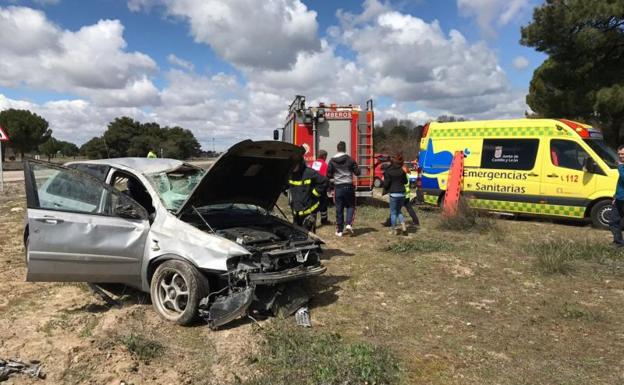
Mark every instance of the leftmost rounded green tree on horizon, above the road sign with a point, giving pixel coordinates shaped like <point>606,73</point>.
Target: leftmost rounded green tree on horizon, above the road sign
<point>25,129</point>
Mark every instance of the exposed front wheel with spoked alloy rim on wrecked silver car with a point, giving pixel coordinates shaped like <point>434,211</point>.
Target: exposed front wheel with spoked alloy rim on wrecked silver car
<point>176,289</point>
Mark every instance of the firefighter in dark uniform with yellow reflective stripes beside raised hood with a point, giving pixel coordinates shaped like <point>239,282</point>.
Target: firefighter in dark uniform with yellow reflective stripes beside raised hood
<point>305,187</point>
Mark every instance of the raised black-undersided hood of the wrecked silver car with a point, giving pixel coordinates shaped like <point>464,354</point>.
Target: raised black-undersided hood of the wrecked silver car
<point>249,172</point>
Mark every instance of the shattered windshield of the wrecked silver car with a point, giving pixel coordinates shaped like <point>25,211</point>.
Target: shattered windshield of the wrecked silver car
<point>174,187</point>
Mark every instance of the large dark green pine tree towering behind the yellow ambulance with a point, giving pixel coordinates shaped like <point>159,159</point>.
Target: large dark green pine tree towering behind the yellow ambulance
<point>582,77</point>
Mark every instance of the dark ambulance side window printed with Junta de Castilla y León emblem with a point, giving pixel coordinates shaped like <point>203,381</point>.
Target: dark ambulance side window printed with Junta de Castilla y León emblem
<point>509,154</point>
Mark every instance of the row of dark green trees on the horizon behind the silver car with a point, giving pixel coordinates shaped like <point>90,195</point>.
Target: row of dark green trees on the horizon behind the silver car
<point>29,133</point>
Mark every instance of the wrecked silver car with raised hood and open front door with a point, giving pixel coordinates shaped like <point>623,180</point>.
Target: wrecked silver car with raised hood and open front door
<point>202,243</point>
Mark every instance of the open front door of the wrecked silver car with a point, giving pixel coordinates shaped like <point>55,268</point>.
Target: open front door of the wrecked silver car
<point>80,229</point>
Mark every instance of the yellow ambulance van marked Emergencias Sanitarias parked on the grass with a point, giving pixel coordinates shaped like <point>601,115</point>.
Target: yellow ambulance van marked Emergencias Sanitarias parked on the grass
<point>542,167</point>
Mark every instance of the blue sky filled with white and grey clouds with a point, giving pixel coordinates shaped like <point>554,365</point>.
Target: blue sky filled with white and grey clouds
<point>227,70</point>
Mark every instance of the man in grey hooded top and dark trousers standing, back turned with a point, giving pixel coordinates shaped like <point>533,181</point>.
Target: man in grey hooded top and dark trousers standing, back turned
<point>341,169</point>
